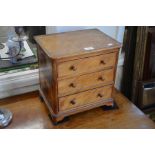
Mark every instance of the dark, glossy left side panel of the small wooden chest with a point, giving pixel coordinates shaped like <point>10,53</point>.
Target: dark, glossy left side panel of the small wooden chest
<point>47,79</point>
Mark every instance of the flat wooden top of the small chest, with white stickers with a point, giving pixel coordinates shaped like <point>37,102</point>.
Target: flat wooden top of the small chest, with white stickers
<point>76,43</point>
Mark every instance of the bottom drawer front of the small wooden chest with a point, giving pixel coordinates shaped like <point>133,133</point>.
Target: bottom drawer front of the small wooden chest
<point>83,98</point>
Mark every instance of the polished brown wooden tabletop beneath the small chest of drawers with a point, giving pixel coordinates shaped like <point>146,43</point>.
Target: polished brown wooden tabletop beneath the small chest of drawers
<point>29,112</point>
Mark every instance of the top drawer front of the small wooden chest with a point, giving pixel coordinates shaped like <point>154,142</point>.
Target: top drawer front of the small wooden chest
<point>86,65</point>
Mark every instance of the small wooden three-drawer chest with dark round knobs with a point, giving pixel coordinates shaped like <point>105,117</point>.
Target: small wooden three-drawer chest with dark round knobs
<point>76,71</point>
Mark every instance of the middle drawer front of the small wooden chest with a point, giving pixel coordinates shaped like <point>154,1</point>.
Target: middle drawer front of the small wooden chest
<point>84,82</point>
